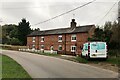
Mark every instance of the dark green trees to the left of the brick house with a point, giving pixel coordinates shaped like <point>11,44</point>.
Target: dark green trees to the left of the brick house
<point>16,34</point>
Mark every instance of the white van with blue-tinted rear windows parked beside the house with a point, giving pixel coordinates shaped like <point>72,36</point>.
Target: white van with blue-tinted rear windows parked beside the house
<point>94,50</point>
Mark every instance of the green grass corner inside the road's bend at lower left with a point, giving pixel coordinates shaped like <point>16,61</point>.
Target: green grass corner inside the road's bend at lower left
<point>11,69</point>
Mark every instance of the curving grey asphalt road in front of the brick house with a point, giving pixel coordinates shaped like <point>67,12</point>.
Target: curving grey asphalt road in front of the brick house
<point>39,66</point>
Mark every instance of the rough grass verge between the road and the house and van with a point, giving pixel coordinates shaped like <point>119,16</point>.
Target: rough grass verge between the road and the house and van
<point>112,63</point>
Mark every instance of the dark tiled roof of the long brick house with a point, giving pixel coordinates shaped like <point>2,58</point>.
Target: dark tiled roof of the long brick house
<point>78,29</point>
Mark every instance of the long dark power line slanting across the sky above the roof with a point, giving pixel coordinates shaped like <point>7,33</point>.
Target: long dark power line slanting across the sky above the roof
<point>65,13</point>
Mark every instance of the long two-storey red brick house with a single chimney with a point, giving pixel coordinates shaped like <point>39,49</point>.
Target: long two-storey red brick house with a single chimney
<point>64,40</point>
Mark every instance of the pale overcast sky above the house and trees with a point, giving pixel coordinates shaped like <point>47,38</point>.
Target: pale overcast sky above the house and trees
<point>35,11</point>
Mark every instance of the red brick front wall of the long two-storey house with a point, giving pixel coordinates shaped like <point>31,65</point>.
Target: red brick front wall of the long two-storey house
<point>52,40</point>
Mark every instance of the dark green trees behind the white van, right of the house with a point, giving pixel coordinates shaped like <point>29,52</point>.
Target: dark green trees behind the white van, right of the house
<point>109,33</point>
